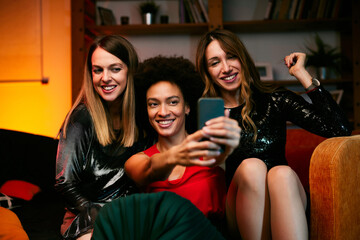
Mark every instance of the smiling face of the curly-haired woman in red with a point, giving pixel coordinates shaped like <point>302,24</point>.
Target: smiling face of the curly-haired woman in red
<point>166,109</point>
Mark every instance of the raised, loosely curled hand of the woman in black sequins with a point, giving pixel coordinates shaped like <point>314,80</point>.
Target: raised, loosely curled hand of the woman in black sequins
<point>296,65</point>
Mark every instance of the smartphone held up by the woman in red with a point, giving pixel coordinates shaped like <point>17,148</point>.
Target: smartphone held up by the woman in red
<point>209,108</point>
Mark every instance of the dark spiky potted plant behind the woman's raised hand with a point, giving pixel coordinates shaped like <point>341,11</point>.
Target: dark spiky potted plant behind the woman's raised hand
<point>324,59</point>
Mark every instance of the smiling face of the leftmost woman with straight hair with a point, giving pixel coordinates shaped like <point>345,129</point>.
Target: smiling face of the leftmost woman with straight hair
<point>109,75</point>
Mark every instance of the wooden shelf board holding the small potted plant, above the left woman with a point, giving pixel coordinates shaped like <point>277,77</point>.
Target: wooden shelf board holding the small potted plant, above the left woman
<point>153,29</point>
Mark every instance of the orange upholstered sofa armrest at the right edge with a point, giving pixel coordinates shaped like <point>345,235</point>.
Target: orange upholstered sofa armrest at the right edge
<point>335,196</point>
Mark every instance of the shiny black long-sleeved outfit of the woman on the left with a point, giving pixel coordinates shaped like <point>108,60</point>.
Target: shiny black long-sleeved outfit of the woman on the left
<point>87,174</point>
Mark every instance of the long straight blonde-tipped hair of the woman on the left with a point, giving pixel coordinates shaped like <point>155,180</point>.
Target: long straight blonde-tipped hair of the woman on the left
<point>99,112</point>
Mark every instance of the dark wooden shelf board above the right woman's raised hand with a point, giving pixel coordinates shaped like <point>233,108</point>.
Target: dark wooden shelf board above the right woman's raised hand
<point>343,25</point>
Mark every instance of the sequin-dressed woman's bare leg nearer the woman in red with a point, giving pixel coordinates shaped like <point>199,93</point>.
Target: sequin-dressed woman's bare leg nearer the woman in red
<point>247,205</point>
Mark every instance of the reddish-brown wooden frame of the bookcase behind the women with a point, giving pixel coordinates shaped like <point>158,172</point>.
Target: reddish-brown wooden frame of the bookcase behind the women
<point>84,30</point>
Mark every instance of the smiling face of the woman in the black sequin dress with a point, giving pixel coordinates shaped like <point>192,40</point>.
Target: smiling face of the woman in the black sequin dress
<point>224,68</point>
